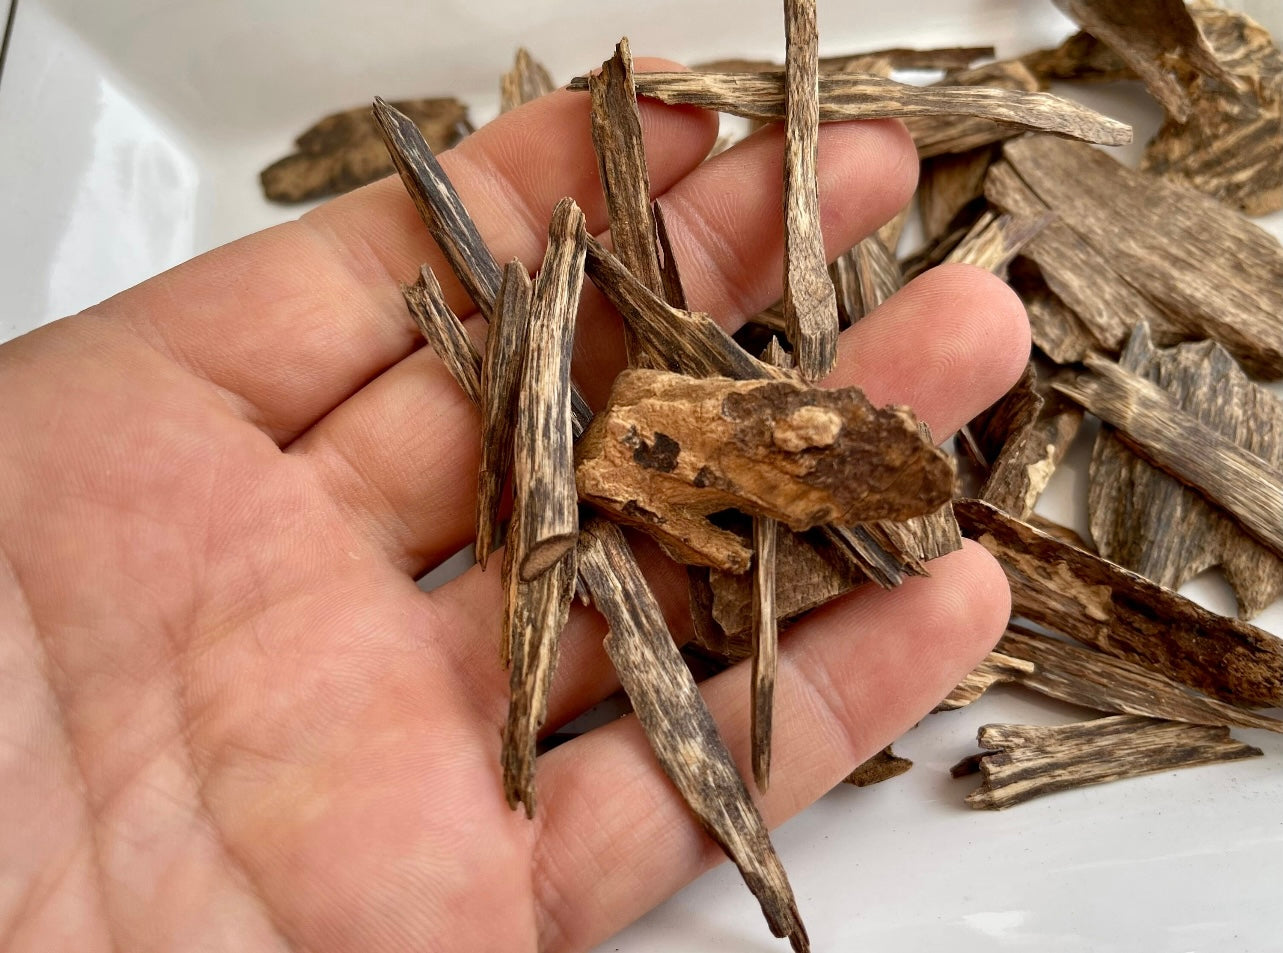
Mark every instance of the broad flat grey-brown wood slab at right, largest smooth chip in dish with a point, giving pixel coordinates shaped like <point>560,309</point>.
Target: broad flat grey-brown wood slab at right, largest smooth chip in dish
<point>1205,270</point>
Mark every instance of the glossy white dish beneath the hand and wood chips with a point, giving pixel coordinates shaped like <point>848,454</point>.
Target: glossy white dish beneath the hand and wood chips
<point>132,135</point>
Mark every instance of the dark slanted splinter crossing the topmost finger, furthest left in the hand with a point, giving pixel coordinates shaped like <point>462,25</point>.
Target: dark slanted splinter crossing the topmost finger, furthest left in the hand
<point>450,223</point>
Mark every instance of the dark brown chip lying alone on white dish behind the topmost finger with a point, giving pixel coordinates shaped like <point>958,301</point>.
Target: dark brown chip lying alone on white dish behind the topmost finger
<point>343,152</point>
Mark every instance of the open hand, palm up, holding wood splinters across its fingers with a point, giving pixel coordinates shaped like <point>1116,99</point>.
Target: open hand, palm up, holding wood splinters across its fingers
<point>232,720</point>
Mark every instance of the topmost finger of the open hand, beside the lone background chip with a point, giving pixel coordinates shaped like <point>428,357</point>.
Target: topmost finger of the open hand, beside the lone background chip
<point>292,321</point>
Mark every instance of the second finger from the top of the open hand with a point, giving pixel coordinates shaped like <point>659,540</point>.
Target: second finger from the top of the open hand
<point>402,453</point>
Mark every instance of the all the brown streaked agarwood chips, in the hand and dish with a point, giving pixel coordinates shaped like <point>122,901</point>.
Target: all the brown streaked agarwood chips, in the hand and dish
<point>1155,306</point>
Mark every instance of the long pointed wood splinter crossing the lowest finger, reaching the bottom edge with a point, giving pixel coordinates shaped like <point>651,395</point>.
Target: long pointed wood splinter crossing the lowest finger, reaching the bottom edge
<point>678,724</point>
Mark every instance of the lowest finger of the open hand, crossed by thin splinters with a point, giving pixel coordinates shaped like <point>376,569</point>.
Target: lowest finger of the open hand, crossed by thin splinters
<point>616,839</point>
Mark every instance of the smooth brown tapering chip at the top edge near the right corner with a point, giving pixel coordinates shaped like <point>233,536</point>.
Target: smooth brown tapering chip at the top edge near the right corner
<point>1158,39</point>
